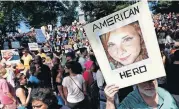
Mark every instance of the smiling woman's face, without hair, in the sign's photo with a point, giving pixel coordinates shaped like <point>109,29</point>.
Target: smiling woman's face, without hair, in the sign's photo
<point>124,45</point>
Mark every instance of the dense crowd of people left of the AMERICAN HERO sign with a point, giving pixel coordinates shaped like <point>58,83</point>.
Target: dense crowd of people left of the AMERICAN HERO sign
<point>63,73</point>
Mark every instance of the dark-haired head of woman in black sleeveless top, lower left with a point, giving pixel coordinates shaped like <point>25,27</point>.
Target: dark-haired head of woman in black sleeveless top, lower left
<point>21,79</point>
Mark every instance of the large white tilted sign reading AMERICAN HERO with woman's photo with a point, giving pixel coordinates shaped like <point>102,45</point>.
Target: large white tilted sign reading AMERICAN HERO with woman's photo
<point>126,47</point>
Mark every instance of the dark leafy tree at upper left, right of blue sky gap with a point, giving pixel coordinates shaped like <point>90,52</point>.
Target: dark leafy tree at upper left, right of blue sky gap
<point>41,12</point>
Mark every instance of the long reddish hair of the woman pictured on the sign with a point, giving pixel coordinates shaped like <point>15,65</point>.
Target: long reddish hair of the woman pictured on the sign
<point>143,53</point>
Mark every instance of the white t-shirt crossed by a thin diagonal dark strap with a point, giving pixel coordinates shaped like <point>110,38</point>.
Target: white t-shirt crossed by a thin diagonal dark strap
<point>75,95</point>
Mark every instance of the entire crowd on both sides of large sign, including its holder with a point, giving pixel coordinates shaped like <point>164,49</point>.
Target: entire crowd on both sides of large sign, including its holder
<point>64,73</point>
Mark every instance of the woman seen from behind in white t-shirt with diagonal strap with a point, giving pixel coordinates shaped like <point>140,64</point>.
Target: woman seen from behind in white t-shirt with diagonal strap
<point>74,87</point>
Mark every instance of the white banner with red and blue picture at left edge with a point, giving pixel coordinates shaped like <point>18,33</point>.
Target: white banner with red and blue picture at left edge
<point>10,56</point>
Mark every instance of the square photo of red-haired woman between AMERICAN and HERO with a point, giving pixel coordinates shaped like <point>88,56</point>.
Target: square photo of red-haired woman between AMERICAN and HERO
<point>124,45</point>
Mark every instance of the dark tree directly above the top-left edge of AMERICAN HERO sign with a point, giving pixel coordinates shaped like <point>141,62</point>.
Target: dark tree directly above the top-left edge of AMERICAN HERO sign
<point>97,9</point>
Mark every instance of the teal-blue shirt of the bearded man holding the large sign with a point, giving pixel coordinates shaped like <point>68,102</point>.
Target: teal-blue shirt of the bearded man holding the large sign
<point>135,101</point>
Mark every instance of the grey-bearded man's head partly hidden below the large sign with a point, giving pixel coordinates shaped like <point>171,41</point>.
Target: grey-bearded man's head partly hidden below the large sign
<point>148,88</point>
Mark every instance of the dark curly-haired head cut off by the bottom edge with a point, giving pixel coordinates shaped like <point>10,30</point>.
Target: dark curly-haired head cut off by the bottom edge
<point>43,98</point>
